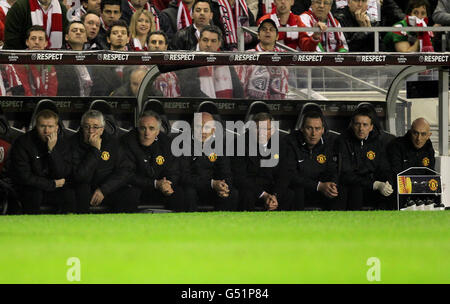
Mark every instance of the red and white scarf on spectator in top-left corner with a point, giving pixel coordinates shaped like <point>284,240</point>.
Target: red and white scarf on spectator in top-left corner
<point>51,21</point>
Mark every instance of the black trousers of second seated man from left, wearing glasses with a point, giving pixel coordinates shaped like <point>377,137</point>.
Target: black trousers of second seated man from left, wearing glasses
<point>123,200</point>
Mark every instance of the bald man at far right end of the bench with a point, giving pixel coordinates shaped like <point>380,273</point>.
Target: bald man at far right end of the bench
<point>414,149</point>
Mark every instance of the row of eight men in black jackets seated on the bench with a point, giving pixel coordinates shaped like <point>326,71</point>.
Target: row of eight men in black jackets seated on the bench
<point>309,168</point>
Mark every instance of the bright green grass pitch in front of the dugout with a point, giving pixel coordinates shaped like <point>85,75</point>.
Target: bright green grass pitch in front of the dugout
<point>227,247</point>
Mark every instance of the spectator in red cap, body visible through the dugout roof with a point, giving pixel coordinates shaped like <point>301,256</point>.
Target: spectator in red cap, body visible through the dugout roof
<point>265,82</point>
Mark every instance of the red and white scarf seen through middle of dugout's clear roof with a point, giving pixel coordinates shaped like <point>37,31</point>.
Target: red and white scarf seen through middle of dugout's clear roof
<point>215,81</point>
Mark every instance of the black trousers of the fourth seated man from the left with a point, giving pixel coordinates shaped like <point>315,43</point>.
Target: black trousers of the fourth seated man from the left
<point>195,197</point>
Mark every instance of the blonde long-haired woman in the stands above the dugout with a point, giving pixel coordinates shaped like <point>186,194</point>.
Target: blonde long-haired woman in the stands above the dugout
<point>142,23</point>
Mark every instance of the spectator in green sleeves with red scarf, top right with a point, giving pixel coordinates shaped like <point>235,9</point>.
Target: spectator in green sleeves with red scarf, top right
<point>416,15</point>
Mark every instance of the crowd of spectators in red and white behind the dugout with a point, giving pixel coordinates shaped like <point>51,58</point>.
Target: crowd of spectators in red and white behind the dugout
<point>129,25</point>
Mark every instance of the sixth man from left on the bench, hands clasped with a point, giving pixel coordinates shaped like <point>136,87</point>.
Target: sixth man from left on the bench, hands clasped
<point>315,171</point>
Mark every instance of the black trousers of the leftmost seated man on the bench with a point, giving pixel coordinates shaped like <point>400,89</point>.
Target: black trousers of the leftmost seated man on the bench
<point>62,199</point>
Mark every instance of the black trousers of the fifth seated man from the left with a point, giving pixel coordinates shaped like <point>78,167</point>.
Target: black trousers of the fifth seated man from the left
<point>249,200</point>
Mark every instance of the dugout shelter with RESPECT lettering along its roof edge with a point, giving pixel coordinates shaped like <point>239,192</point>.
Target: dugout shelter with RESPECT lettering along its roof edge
<point>336,82</point>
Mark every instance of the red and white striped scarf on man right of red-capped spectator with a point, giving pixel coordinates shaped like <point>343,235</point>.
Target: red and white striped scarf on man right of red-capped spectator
<point>333,41</point>
